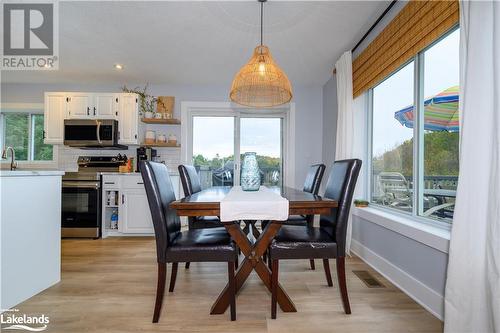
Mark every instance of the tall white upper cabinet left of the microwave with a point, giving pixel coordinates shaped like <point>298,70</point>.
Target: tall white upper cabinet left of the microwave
<point>54,114</point>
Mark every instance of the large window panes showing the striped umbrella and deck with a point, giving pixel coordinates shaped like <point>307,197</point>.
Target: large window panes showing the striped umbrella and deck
<point>415,134</point>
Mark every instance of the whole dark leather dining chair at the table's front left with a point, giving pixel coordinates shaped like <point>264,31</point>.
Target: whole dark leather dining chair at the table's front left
<point>173,245</point>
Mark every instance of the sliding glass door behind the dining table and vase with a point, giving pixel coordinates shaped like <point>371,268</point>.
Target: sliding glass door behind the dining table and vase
<point>220,141</point>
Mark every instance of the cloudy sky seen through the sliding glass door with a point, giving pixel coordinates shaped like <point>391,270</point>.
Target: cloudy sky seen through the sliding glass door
<point>215,135</point>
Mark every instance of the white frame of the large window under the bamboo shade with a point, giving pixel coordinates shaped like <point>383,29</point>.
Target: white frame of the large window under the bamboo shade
<point>418,141</point>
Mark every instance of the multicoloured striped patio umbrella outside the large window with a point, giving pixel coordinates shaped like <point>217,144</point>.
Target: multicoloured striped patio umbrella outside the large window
<point>441,112</point>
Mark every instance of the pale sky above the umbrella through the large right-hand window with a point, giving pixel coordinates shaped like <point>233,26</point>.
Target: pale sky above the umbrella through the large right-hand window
<point>441,71</point>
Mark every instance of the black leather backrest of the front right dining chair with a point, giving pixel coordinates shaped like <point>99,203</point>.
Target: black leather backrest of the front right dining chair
<point>340,187</point>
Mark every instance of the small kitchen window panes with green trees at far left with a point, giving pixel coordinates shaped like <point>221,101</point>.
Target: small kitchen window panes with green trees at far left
<point>23,131</point>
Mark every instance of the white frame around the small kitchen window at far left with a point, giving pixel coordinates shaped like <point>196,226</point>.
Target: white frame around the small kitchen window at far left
<point>30,109</point>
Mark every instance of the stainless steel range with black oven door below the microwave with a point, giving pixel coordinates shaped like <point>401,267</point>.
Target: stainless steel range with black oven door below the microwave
<point>81,195</point>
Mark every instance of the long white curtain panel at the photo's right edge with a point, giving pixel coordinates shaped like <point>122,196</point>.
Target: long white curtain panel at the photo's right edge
<point>472,298</point>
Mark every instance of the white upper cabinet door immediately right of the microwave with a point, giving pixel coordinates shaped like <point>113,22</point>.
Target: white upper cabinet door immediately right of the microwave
<point>128,119</point>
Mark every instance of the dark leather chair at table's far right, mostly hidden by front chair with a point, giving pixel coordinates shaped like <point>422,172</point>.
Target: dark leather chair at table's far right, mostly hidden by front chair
<point>311,185</point>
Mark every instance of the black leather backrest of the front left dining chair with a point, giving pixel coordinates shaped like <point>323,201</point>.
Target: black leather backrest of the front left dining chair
<point>160,193</point>
